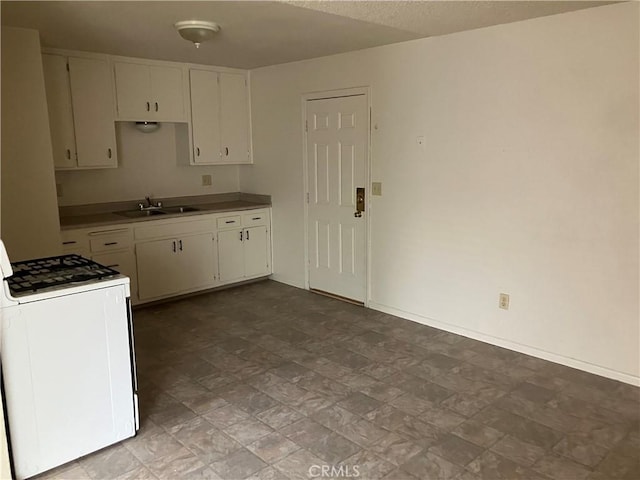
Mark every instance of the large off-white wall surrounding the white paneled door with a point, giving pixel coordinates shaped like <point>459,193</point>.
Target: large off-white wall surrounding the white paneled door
<point>528,183</point>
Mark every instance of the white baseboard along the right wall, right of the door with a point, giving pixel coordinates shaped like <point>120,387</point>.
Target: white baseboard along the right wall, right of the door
<point>517,347</point>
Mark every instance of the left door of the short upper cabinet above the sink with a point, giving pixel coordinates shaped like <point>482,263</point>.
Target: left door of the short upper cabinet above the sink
<point>133,91</point>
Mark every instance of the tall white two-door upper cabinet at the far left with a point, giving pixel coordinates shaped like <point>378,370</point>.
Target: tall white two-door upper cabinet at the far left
<point>80,102</point>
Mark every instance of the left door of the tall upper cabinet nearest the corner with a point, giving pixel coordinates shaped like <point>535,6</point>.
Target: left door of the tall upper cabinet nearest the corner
<point>205,119</point>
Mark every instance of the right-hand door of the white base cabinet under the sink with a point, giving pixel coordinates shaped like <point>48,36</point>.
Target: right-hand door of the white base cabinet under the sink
<point>196,261</point>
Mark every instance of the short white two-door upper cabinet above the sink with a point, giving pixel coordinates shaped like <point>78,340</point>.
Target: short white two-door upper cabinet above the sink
<point>149,92</point>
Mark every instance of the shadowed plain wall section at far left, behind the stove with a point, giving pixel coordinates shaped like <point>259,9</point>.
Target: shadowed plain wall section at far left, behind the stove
<point>30,225</point>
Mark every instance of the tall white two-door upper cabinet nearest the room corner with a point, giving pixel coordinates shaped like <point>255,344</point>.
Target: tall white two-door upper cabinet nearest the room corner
<point>219,117</point>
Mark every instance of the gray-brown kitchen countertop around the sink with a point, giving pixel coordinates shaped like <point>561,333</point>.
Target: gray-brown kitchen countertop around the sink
<point>97,215</point>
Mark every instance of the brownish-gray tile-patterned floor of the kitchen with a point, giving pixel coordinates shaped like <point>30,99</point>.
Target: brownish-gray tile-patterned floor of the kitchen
<point>265,381</point>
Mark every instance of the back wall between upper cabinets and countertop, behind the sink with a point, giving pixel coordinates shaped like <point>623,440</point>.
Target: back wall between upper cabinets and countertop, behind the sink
<point>146,166</point>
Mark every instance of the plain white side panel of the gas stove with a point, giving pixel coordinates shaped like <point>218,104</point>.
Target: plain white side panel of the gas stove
<point>68,377</point>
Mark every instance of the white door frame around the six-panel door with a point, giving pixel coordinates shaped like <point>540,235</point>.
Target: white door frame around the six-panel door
<point>323,95</point>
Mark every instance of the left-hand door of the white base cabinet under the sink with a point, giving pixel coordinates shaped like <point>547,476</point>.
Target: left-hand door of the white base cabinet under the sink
<point>158,268</point>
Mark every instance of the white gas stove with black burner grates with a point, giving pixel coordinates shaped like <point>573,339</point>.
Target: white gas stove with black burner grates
<point>68,360</point>
